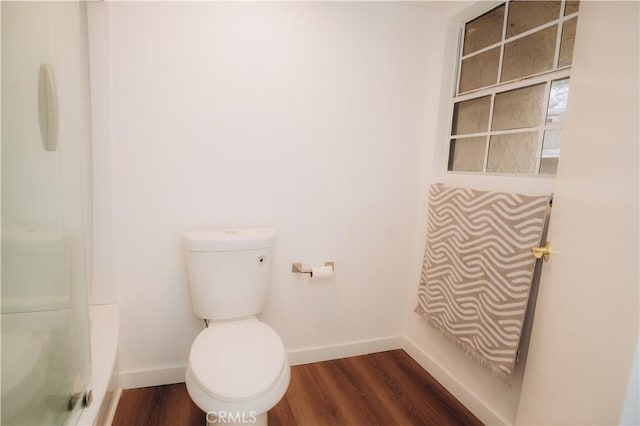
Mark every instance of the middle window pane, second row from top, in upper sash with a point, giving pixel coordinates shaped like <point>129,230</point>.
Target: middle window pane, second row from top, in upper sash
<point>529,55</point>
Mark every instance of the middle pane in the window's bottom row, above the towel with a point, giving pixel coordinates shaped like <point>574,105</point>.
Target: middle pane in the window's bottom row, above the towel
<point>514,153</point>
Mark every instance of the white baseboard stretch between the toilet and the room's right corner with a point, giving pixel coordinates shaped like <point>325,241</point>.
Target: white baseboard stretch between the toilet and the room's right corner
<point>344,350</point>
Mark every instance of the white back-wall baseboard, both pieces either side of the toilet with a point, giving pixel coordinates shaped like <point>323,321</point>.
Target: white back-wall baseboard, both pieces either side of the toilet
<point>176,374</point>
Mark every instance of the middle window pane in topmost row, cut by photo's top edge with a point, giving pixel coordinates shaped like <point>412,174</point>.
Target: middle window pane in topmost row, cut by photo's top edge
<point>525,15</point>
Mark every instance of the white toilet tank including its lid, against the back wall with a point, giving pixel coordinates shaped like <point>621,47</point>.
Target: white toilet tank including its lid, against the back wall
<point>229,270</point>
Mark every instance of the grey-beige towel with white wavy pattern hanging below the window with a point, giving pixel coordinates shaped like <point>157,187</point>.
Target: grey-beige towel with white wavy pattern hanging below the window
<point>478,269</point>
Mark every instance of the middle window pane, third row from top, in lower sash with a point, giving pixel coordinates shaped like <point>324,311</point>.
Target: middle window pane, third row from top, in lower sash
<point>519,108</point>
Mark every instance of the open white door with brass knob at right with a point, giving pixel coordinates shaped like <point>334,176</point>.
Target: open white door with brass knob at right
<point>586,325</point>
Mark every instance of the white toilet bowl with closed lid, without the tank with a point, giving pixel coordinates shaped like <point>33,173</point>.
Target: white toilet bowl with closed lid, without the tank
<point>237,371</point>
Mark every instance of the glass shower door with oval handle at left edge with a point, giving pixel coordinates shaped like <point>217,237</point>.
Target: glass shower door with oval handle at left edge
<point>45,147</point>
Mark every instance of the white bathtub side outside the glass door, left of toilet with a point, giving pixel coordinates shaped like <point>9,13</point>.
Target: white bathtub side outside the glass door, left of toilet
<point>104,381</point>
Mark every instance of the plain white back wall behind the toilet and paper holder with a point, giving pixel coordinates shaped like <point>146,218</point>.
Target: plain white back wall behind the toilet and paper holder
<point>308,117</point>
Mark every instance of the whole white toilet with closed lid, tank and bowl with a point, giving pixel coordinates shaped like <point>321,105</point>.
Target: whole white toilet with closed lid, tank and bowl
<point>238,369</point>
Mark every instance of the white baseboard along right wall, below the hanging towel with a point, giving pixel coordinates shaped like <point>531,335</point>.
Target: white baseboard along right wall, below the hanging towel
<point>469,399</point>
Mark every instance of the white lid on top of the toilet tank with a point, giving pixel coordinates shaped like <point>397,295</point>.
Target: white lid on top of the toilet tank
<point>229,239</point>
